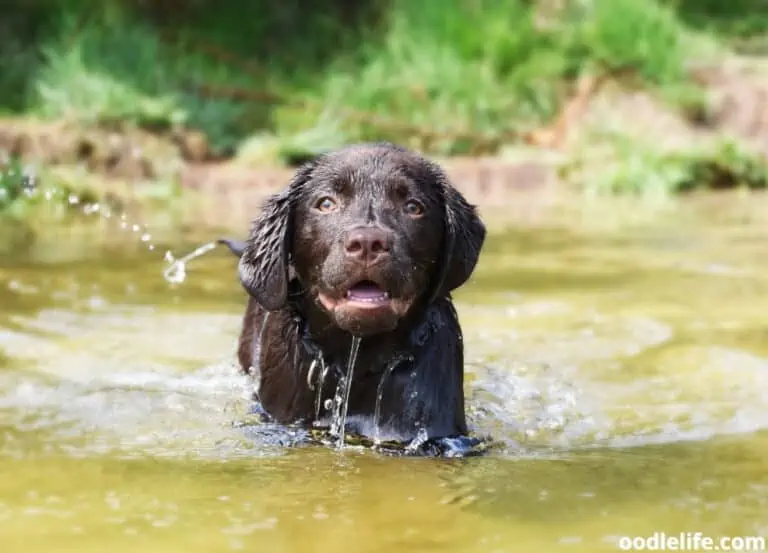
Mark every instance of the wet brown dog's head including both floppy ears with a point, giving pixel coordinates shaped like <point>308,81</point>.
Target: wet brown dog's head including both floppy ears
<point>370,231</point>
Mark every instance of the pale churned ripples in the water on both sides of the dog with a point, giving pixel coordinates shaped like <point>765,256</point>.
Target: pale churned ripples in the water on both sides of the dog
<point>541,377</point>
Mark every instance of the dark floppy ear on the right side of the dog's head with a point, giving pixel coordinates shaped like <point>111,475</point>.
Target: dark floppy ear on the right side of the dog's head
<point>462,242</point>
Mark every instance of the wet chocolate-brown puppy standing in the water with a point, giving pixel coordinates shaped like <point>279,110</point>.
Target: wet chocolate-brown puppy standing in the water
<point>367,241</point>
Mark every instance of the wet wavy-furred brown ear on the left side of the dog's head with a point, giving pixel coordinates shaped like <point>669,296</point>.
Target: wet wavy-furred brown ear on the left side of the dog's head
<point>263,266</point>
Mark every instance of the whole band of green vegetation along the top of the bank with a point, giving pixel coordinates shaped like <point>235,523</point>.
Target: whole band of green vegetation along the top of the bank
<point>291,79</point>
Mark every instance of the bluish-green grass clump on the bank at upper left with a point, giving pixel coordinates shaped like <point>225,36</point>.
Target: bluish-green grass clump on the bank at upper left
<point>118,73</point>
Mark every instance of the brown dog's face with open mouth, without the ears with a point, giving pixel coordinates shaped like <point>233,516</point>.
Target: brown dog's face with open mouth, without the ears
<point>367,237</point>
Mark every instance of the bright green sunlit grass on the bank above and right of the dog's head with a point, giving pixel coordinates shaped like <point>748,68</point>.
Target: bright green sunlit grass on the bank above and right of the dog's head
<point>484,71</point>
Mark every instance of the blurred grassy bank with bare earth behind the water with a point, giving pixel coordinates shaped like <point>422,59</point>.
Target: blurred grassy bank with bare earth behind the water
<point>642,95</point>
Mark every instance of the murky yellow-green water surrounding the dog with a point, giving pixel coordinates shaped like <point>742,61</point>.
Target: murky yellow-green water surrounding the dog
<point>622,369</point>
